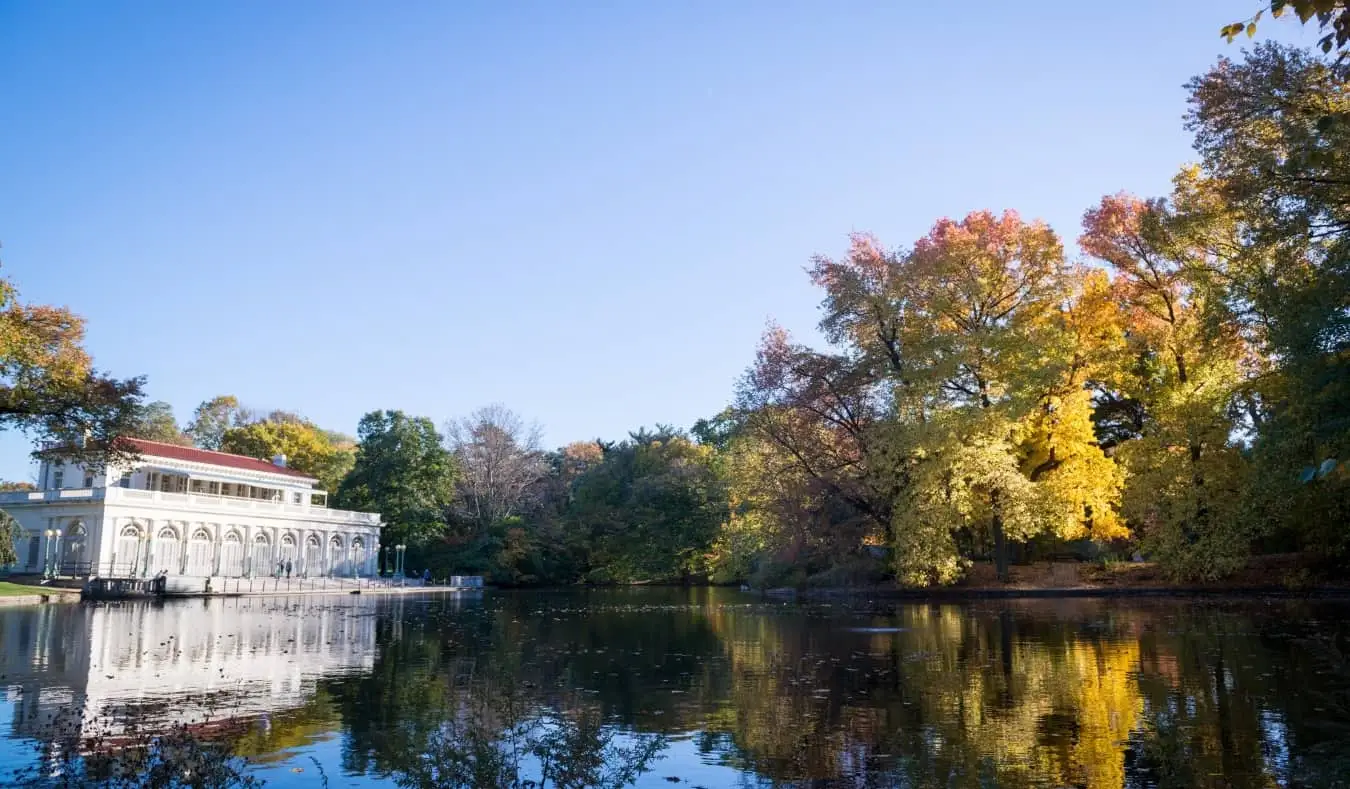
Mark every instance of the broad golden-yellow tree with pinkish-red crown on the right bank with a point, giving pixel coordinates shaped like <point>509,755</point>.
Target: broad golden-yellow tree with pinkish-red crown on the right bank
<point>981,342</point>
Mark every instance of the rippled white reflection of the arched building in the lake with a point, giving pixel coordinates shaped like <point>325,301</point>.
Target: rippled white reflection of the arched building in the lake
<point>106,672</point>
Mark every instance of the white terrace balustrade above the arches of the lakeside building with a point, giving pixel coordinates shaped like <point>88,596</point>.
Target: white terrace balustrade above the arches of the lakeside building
<point>206,503</point>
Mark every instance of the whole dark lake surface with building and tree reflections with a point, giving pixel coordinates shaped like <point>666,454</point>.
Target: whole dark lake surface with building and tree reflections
<point>732,690</point>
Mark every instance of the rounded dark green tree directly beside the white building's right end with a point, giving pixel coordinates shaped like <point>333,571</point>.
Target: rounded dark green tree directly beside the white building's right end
<point>404,472</point>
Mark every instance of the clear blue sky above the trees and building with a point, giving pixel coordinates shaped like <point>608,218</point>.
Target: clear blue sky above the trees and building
<point>587,211</point>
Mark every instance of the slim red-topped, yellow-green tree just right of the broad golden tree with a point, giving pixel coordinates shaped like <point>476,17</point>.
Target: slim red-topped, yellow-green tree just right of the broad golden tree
<point>1187,476</point>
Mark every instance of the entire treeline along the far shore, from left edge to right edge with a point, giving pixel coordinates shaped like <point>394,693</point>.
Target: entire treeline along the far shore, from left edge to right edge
<point>1182,391</point>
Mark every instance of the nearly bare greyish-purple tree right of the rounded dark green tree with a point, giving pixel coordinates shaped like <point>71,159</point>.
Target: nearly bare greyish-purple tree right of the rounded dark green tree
<point>500,460</point>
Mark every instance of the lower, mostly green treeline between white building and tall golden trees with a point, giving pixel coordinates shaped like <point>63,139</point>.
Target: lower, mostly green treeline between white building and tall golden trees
<point>484,497</point>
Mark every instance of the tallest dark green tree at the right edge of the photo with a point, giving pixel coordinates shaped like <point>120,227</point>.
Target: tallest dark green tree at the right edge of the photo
<point>1270,206</point>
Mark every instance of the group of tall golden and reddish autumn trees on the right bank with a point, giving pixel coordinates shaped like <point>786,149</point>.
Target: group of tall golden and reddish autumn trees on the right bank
<point>1183,392</point>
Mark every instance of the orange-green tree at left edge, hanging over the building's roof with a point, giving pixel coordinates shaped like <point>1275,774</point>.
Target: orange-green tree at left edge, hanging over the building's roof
<point>51,390</point>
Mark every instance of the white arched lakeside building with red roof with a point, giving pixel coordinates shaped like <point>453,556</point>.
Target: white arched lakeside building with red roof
<point>186,511</point>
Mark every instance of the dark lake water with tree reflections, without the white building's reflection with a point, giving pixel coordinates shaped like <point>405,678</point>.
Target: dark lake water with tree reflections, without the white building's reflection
<point>585,690</point>
